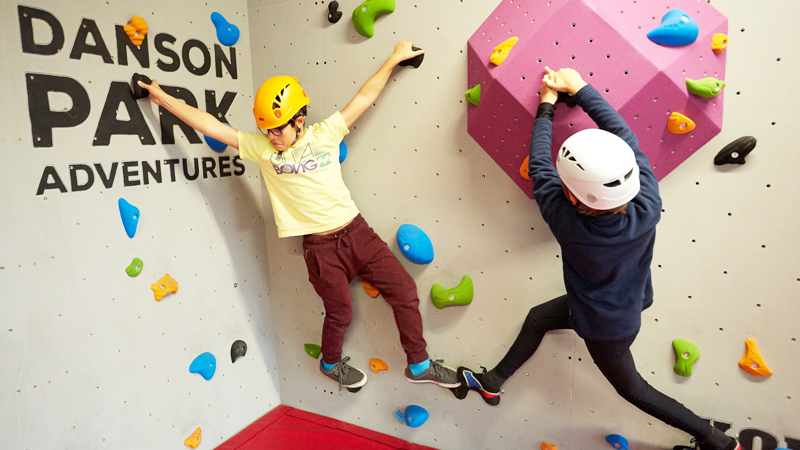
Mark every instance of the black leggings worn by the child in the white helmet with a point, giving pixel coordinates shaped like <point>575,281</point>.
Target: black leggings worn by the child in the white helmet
<point>615,361</point>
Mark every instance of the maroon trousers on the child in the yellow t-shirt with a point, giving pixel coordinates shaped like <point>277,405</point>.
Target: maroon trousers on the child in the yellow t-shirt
<point>334,260</point>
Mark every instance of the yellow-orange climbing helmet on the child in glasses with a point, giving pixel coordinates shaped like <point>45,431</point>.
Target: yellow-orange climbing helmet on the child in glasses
<point>277,101</point>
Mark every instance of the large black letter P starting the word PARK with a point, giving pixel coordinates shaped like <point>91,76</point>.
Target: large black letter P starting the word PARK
<point>43,118</point>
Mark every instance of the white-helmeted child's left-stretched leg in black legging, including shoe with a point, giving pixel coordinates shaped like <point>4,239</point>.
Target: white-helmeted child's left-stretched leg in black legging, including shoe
<point>552,315</point>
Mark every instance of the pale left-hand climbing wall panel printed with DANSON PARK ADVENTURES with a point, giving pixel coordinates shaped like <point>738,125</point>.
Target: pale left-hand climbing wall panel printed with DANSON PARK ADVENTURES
<point>90,358</point>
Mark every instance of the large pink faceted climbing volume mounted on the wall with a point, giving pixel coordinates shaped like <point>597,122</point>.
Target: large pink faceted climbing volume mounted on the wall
<point>606,41</point>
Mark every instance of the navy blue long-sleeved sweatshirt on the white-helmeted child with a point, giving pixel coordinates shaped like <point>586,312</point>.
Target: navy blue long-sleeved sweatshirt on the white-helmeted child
<point>606,258</point>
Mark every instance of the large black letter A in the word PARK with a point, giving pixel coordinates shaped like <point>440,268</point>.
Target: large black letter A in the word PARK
<point>120,93</point>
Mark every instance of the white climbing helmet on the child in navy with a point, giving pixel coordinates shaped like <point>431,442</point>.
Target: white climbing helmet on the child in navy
<point>599,168</point>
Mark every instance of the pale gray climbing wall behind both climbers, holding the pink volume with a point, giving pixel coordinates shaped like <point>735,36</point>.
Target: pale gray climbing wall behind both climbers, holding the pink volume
<point>725,265</point>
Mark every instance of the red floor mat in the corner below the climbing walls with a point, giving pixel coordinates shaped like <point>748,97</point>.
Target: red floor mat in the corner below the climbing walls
<point>287,428</point>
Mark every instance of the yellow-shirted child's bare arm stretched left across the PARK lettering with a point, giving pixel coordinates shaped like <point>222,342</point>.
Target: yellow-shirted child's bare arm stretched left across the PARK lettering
<point>195,118</point>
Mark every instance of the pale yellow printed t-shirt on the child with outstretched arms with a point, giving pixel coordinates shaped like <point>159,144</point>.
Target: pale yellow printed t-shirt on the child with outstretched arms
<point>304,182</point>
